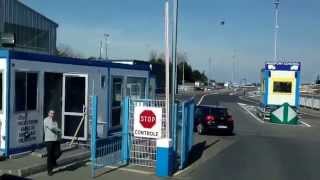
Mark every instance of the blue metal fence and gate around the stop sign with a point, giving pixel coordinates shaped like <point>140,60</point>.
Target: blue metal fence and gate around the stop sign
<point>121,149</point>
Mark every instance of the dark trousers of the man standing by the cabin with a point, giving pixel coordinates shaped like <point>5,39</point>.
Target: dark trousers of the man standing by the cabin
<point>53,150</point>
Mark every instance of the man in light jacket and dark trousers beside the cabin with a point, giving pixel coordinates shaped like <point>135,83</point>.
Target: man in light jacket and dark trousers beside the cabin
<point>51,138</point>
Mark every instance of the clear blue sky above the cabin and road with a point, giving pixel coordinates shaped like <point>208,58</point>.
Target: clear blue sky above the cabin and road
<point>136,29</point>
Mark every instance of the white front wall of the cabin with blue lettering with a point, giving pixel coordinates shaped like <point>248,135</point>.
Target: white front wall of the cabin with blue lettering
<point>94,88</point>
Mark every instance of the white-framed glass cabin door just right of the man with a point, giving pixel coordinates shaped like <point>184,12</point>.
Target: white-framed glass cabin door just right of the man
<point>74,106</point>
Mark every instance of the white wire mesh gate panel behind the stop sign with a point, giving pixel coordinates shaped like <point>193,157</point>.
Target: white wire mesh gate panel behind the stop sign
<point>142,151</point>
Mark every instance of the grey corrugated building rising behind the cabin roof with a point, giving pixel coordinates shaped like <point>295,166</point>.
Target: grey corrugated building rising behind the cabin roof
<point>33,31</point>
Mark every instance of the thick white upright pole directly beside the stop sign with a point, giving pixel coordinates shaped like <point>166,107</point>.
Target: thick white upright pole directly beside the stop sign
<point>167,60</point>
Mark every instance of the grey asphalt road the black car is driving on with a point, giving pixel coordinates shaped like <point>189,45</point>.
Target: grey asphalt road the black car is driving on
<point>261,150</point>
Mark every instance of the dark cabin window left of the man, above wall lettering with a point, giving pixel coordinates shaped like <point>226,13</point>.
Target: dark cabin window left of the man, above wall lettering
<point>26,87</point>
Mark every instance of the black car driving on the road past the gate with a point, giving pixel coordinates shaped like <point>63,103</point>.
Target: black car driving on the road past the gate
<point>213,119</point>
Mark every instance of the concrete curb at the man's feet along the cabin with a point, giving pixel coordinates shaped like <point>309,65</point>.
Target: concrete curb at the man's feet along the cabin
<point>79,157</point>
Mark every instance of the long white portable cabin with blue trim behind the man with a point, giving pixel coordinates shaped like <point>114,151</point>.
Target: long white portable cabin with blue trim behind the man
<point>33,84</point>
